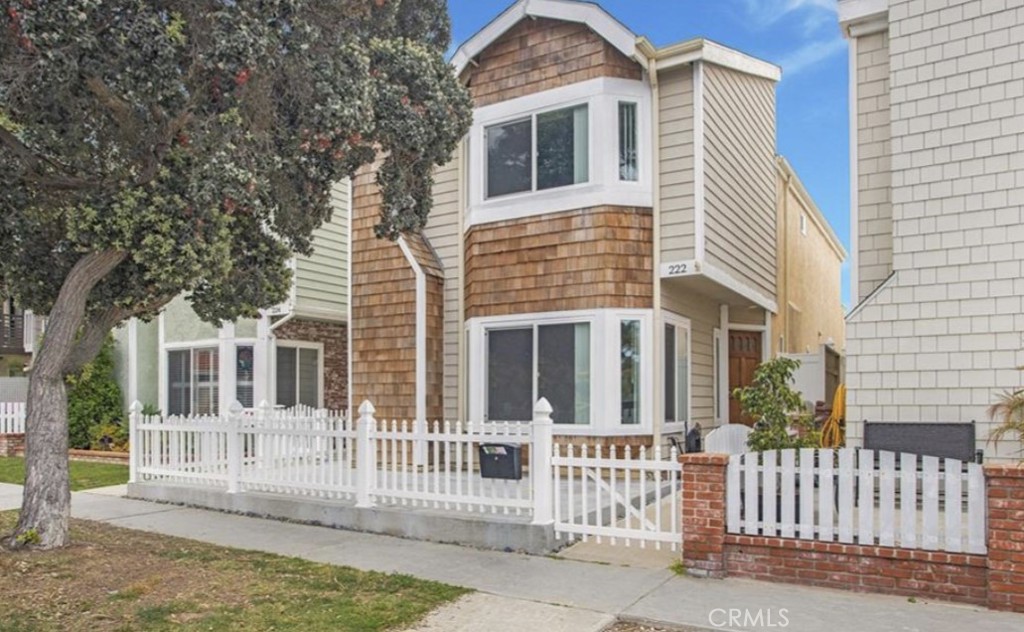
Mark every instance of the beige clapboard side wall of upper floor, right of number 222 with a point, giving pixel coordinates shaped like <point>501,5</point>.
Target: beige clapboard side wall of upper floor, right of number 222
<point>740,176</point>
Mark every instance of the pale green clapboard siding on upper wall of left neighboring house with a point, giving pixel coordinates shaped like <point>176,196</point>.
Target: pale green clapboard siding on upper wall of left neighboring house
<point>322,280</point>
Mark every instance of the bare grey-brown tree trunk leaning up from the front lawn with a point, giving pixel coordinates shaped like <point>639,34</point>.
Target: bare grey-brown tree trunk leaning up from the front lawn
<point>47,503</point>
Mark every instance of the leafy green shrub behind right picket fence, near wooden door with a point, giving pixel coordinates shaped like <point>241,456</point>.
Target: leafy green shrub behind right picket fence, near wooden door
<point>781,422</point>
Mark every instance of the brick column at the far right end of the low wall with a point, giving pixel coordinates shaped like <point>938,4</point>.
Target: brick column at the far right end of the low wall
<point>1006,537</point>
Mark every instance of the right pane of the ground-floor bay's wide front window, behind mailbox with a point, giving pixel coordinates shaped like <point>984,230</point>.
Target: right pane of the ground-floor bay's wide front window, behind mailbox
<point>564,371</point>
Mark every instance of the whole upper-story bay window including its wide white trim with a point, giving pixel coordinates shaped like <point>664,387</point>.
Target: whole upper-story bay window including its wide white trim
<point>576,147</point>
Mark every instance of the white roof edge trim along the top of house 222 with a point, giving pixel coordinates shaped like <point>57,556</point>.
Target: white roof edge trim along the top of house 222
<point>623,39</point>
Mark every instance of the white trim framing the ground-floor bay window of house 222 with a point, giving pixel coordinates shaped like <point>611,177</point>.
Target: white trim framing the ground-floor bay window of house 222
<point>606,404</point>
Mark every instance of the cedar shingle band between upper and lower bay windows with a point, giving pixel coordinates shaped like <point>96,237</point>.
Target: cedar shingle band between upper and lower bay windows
<point>584,260</point>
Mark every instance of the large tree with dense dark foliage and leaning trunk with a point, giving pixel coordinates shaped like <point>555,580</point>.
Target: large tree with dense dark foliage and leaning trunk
<point>155,148</point>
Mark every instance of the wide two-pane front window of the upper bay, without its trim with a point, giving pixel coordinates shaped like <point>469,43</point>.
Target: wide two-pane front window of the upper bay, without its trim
<point>557,155</point>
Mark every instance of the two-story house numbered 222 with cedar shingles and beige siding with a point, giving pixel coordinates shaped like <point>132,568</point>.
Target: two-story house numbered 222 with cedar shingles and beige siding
<point>607,237</point>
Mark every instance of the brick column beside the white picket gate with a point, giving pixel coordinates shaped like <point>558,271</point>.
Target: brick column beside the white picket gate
<point>704,514</point>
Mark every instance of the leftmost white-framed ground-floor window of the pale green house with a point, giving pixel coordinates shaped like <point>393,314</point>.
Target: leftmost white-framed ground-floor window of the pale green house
<point>193,382</point>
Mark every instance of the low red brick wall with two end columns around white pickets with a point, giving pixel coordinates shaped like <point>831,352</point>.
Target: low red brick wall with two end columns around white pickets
<point>996,580</point>
